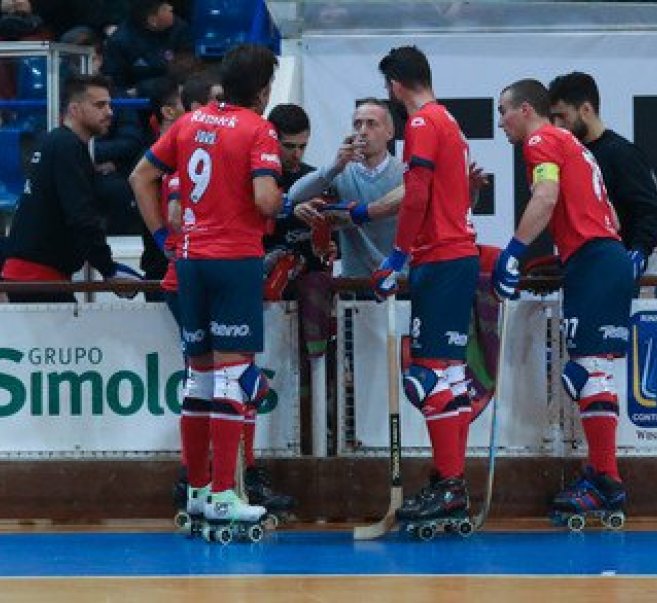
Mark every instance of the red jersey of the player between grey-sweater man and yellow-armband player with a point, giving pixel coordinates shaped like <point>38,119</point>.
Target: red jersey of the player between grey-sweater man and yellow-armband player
<point>433,139</point>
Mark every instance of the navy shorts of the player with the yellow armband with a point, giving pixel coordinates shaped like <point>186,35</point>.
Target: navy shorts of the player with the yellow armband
<point>597,294</point>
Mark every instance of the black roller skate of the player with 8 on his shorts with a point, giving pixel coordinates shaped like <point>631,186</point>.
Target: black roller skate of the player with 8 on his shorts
<point>443,504</point>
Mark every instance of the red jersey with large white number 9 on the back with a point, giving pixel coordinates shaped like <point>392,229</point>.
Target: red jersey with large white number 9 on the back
<point>218,150</point>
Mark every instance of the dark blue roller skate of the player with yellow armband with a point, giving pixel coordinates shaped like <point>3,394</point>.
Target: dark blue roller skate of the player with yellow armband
<point>592,495</point>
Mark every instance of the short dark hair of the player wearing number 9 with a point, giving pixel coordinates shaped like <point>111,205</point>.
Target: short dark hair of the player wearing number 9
<point>245,72</point>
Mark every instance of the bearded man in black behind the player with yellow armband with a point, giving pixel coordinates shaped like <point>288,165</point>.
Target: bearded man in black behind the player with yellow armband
<point>627,173</point>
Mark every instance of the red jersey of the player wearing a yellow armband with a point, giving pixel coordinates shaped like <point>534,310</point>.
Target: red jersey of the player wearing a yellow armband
<point>583,211</point>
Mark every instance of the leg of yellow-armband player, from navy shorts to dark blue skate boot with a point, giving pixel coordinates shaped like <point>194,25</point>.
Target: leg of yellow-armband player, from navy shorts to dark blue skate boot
<point>598,288</point>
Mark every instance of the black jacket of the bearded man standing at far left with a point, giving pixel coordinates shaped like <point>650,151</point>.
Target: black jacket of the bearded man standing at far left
<point>56,222</point>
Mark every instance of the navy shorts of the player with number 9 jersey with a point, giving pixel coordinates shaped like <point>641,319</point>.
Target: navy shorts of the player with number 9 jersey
<point>221,305</point>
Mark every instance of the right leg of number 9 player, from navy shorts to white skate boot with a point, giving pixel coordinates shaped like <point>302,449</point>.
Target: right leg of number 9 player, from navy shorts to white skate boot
<point>236,328</point>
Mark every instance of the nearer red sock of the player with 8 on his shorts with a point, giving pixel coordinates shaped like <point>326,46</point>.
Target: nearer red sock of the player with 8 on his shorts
<point>444,425</point>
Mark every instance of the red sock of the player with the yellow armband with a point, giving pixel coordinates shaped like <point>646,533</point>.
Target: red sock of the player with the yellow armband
<point>600,430</point>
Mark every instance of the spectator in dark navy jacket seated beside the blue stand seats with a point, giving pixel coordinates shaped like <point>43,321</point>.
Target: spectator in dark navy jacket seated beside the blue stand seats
<point>150,43</point>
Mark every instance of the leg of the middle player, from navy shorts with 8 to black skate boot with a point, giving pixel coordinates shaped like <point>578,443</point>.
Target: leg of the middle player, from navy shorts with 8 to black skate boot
<point>441,300</point>
